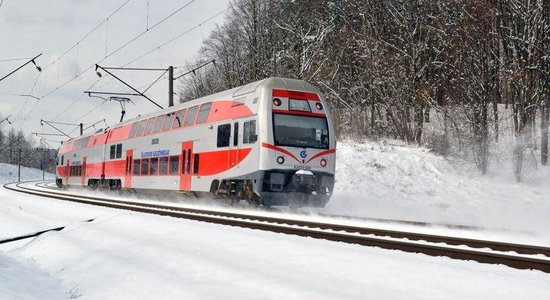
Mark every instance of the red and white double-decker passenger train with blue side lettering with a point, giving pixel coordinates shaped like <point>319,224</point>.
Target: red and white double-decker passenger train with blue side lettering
<point>271,142</point>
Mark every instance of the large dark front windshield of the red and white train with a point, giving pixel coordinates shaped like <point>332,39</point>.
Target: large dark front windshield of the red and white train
<point>300,131</point>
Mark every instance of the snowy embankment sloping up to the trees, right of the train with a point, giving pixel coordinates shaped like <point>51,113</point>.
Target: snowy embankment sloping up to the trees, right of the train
<point>396,181</point>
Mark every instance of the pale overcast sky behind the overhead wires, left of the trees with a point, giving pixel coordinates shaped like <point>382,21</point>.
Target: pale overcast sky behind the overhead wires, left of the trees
<point>51,27</point>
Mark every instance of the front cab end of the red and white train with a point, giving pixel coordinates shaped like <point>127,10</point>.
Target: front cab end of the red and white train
<point>298,156</point>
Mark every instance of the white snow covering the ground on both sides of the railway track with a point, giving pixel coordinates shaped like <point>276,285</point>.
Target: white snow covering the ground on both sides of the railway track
<point>126,255</point>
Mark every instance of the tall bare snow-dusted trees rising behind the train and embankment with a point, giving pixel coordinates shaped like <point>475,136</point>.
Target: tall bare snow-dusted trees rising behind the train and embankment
<point>390,69</point>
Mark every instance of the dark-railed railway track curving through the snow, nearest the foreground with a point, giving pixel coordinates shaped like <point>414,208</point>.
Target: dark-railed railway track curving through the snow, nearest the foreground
<point>494,252</point>
